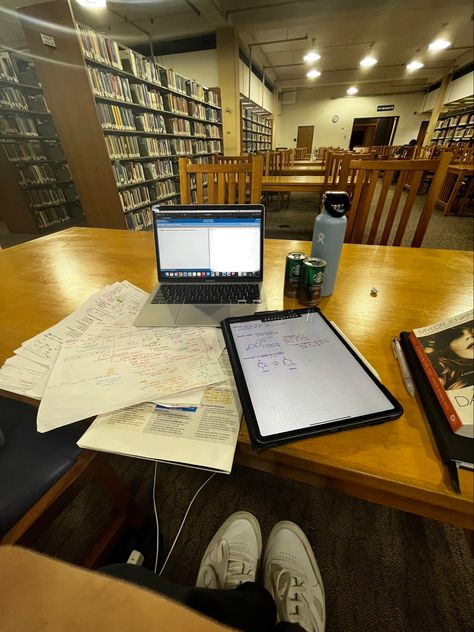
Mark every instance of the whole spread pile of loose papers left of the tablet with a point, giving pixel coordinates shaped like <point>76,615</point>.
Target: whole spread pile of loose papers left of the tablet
<point>160,393</point>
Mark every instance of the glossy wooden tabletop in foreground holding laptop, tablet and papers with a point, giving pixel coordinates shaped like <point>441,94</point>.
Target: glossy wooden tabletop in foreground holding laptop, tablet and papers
<point>394,464</point>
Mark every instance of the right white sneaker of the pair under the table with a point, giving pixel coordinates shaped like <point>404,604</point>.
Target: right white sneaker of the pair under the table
<point>291,575</point>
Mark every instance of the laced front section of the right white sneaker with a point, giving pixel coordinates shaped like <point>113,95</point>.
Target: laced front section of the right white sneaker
<point>295,608</point>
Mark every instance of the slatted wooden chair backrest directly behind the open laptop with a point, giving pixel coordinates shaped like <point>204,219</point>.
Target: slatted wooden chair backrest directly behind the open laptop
<point>237,183</point>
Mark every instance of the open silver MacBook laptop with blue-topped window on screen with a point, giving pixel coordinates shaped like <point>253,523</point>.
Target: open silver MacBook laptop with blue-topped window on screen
<point>210,264</point>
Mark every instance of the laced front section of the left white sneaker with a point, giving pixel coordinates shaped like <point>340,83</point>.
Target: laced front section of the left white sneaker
<point>234,569</point>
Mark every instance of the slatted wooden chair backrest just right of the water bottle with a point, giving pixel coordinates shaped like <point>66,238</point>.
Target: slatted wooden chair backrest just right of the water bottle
<point>377,199</point>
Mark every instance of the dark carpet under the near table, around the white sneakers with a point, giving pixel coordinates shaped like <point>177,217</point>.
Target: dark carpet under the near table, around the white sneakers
<point>383,570</point>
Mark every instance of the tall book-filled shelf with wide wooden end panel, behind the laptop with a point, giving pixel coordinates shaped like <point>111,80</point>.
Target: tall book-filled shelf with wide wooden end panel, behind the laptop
<point>124,120</point>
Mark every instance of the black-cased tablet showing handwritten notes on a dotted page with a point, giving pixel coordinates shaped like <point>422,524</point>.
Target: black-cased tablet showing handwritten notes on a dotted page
<point>297,377</point>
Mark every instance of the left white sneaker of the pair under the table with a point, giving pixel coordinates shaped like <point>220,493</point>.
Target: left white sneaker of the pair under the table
<point>232,556</point>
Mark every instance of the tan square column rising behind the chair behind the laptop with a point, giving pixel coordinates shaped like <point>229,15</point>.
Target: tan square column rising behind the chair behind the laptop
<point>229,83</point>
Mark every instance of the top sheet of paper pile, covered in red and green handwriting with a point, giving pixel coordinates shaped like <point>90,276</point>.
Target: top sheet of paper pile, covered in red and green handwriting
<point>114,366</point>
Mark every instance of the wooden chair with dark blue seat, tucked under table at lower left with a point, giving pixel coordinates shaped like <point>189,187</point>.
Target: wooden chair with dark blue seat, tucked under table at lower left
<point>41,473</point>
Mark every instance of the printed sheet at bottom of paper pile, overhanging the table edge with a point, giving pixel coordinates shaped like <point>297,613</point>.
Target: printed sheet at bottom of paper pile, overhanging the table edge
<point>202,436</point>
